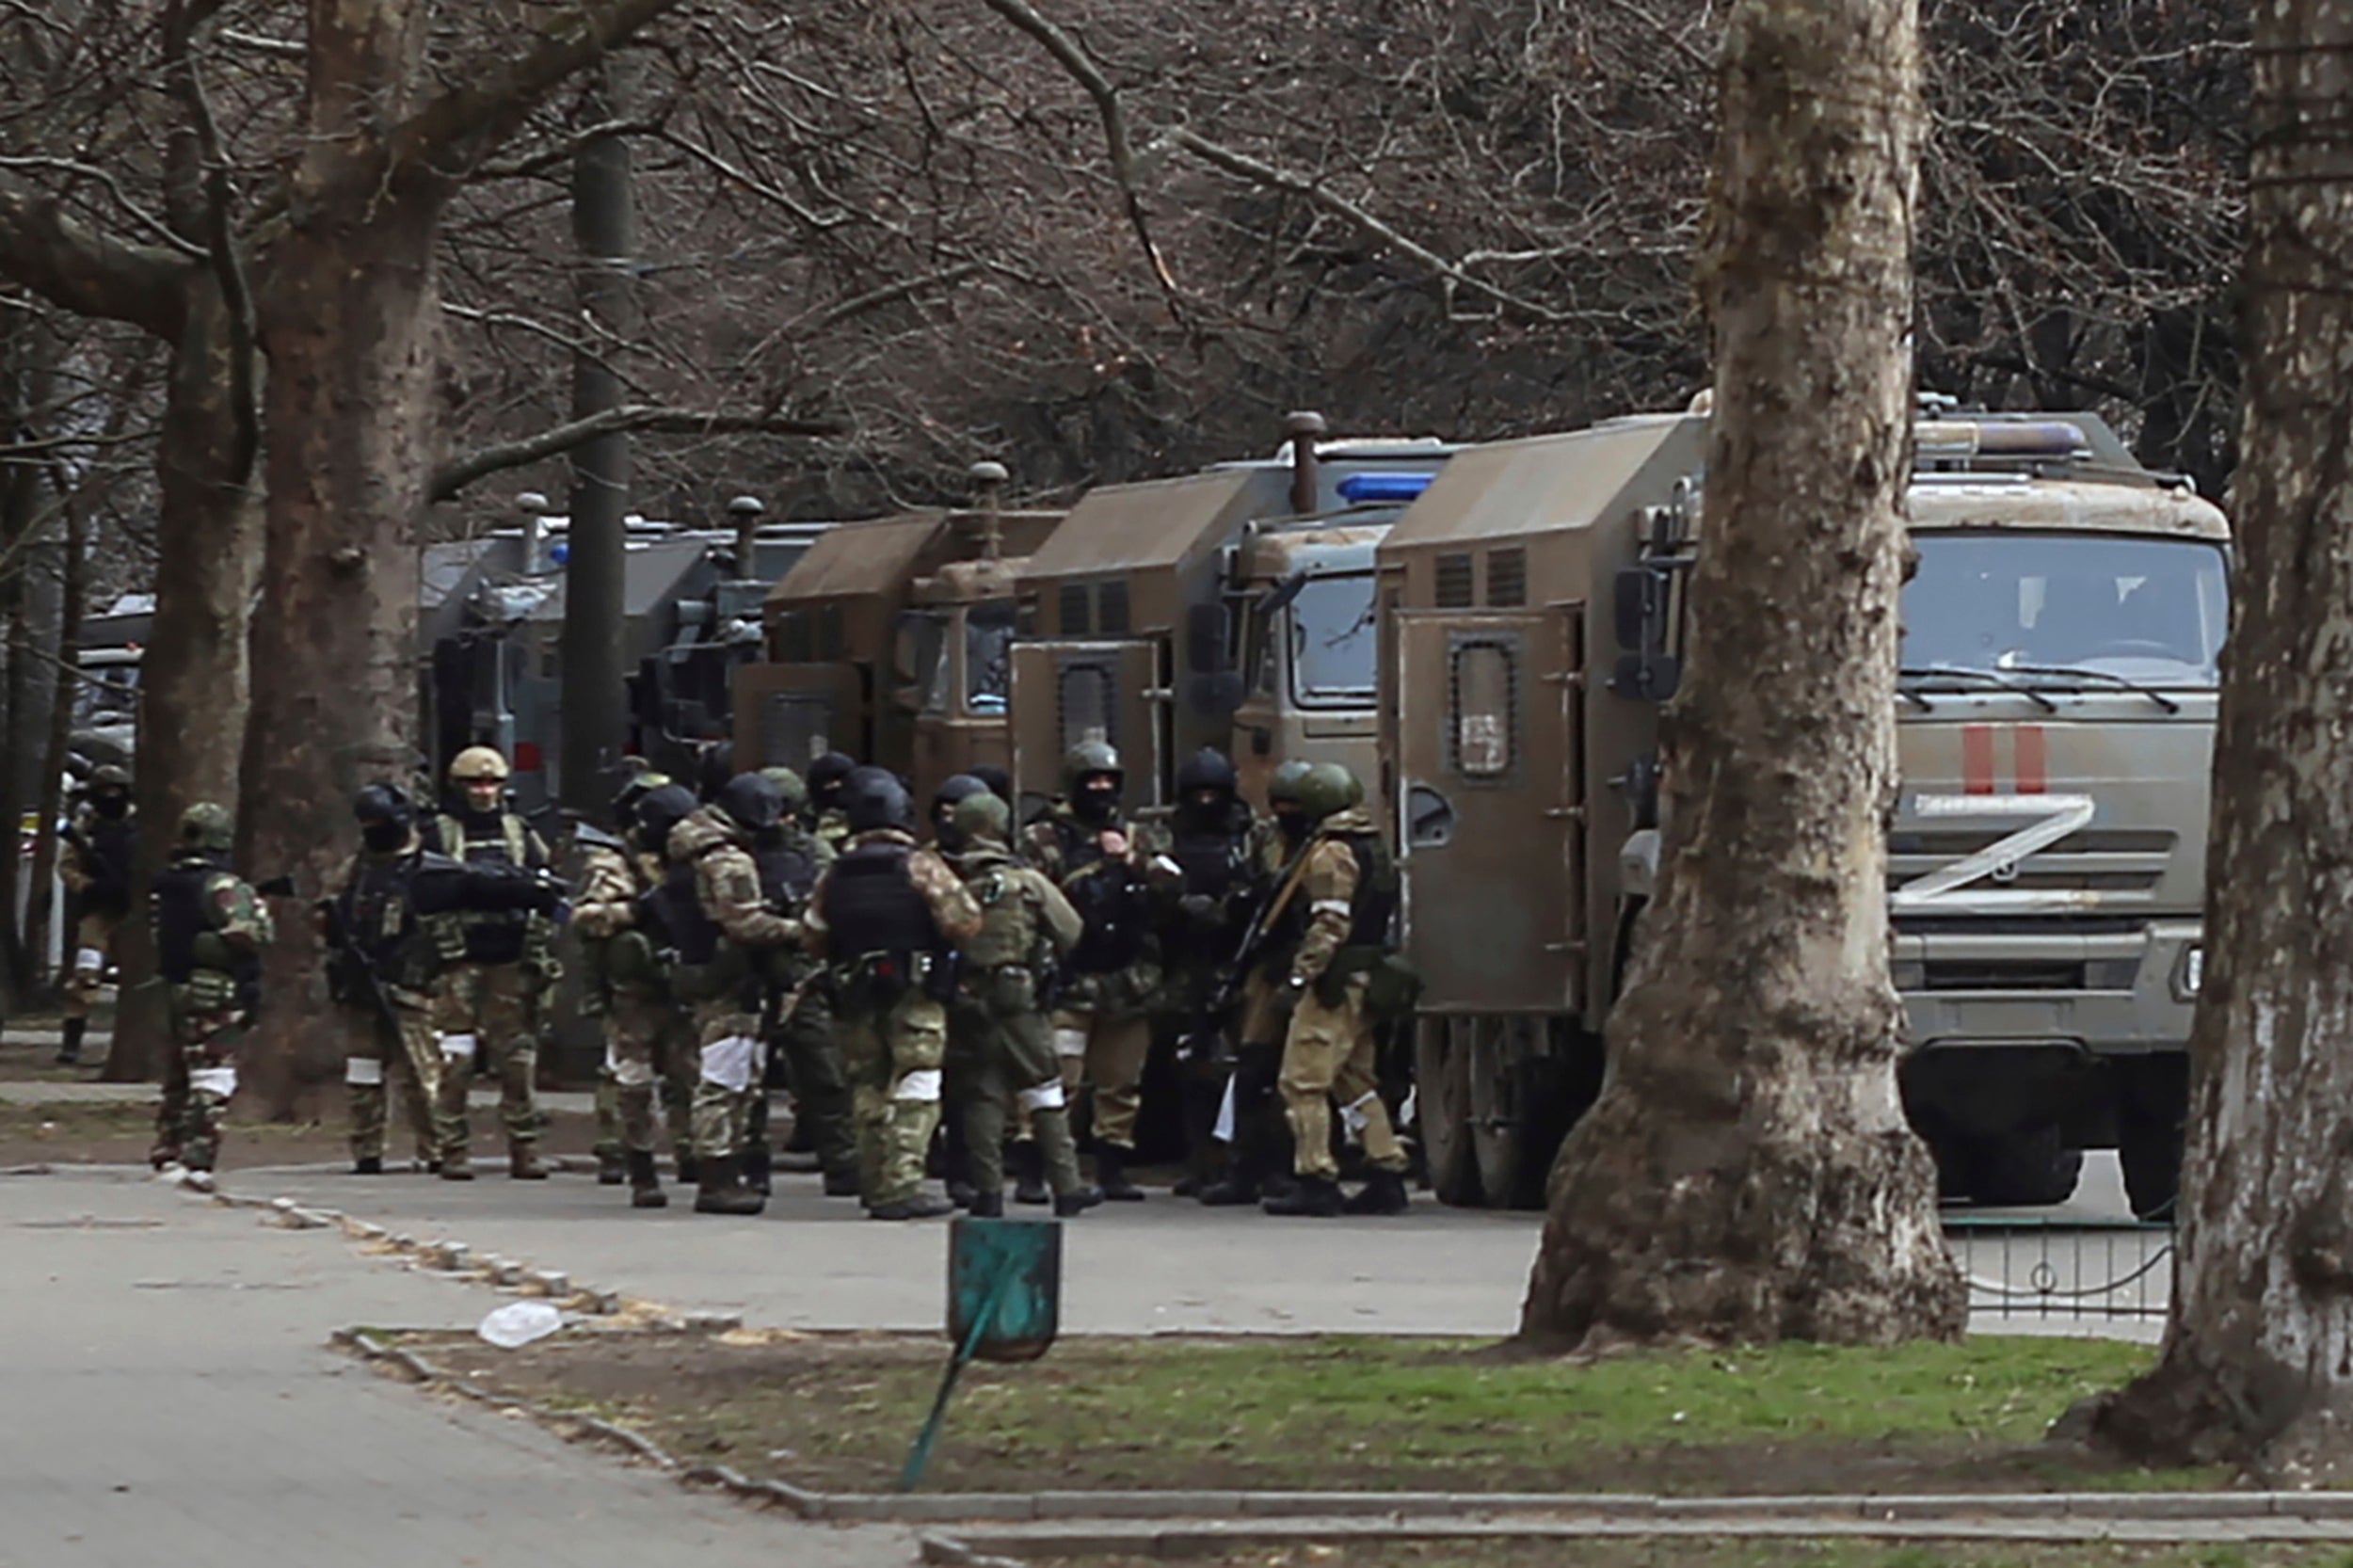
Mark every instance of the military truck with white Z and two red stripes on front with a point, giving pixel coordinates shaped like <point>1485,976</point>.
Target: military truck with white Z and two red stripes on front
<point>2046,865</point>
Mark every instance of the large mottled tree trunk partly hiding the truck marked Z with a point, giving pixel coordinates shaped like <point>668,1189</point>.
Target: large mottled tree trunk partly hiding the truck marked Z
<point>1747,1174</point>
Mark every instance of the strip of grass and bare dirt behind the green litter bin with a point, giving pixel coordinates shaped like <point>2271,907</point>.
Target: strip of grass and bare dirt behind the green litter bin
<point>1352,1414</point>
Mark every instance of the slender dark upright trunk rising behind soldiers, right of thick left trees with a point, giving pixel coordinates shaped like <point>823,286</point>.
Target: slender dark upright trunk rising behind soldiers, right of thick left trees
<point>592,644</point>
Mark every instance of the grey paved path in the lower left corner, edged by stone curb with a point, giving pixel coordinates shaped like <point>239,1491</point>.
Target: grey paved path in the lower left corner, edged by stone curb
<point>168,1400</point>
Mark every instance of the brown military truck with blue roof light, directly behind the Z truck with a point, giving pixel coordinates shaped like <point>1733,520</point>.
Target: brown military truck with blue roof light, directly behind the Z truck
<point>1225,609</point>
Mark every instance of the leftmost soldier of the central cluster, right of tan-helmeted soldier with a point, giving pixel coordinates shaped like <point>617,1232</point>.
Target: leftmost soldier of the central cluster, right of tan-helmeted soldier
<point>627,985</point>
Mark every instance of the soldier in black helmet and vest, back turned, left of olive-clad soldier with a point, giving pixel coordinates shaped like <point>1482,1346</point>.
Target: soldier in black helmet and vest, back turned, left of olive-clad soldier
<point>891,917</point>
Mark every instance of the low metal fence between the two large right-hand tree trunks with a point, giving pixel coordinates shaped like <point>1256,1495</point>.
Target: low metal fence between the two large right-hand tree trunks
<point>2051,1270</point>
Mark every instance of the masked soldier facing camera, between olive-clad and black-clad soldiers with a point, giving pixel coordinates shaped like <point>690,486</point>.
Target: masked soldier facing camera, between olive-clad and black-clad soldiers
<point>1105,1018</point>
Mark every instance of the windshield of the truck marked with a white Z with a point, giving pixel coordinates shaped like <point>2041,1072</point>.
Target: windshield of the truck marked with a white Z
<point>2046,606</point>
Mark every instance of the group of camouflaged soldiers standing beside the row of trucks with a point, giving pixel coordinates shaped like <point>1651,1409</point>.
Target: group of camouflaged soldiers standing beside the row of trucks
<point>928,1004</point>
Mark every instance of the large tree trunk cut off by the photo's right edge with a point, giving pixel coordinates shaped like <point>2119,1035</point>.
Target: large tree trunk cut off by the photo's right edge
<point>2258,1357</point>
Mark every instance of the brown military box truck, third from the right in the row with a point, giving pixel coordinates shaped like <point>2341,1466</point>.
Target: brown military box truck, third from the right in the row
<point>891,642</point>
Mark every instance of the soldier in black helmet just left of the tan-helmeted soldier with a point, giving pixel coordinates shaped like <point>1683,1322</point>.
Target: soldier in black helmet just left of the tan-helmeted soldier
<point>380,969</point>
